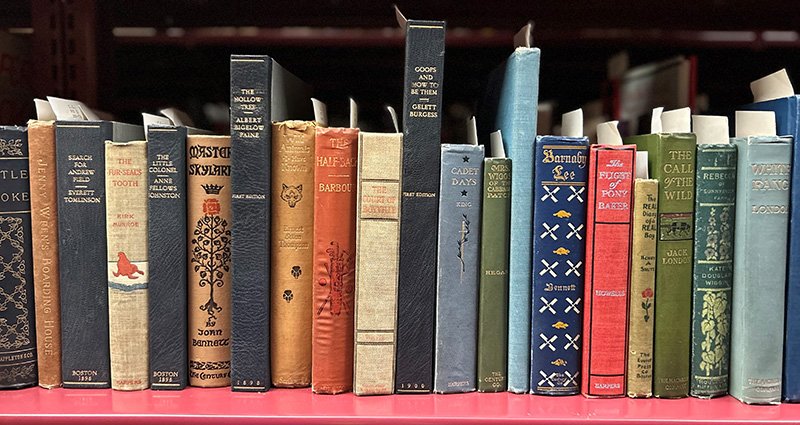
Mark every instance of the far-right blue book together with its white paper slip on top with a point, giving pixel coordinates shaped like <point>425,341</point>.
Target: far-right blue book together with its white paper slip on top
<point>775,93</point>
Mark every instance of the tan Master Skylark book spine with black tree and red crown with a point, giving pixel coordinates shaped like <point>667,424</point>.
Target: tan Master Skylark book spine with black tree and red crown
<point>208,189</point>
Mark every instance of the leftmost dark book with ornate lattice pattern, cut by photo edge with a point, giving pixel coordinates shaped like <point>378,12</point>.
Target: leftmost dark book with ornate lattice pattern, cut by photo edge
<point>17,322</point>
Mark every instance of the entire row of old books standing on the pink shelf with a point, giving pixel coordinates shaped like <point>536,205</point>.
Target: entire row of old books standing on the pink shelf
<point>187,258</point>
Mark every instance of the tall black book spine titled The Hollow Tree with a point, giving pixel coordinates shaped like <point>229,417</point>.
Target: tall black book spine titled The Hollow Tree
<point>251,137</point>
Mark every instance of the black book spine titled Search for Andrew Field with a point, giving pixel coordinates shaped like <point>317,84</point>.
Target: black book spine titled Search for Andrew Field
<point>80,162</point>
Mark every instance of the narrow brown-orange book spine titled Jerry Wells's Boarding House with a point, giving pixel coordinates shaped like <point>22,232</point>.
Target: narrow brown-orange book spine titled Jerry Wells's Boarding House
<point>44,234</point>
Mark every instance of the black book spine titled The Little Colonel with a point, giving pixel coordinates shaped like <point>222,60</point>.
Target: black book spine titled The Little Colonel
<point>166,257</point>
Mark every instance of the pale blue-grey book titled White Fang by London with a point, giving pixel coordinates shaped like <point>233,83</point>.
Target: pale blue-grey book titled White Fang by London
<point>763,186</point>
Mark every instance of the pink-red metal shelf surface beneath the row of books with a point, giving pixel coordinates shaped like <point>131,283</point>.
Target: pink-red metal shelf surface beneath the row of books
<point>220,406</point>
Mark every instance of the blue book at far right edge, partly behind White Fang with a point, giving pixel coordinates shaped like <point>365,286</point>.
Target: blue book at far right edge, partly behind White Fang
<point>787,117</point>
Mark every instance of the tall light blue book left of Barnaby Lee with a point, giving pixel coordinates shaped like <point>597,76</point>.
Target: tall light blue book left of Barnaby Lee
<point>516,118</point>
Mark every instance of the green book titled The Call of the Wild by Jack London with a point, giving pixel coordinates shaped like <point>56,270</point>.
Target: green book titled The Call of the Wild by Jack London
<point>671,160</point>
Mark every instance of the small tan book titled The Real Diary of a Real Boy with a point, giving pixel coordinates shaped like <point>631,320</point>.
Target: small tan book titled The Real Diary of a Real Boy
<point>643,288</point>
